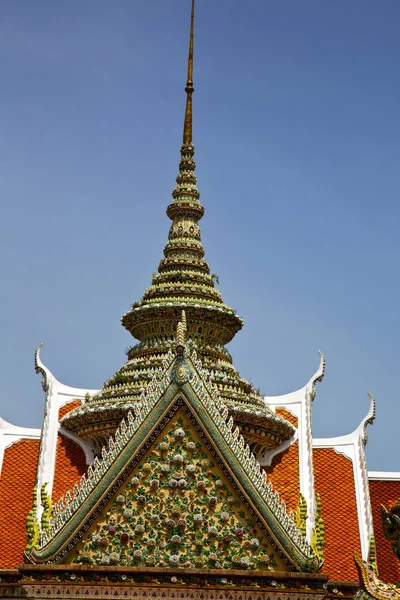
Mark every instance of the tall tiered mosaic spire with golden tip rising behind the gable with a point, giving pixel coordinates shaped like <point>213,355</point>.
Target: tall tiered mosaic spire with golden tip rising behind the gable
<point>183,282</point>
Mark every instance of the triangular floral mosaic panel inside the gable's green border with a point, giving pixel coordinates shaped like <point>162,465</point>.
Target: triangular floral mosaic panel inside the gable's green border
<point>178,511</point>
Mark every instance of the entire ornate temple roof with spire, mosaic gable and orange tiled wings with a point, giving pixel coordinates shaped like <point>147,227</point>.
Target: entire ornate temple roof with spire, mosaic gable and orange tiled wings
<point>176,497</point>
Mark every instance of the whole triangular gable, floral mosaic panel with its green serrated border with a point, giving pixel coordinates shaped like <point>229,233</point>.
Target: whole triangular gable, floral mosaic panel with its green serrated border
<point>178,487</point>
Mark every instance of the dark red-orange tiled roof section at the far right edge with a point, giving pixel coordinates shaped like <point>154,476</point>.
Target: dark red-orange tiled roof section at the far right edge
<point>386,493</point>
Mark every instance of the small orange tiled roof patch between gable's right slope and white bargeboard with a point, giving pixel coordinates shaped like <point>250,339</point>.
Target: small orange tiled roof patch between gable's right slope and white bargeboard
<point>284,475</point>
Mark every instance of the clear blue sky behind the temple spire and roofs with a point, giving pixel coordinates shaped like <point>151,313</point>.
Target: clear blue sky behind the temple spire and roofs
<point>297,136</point>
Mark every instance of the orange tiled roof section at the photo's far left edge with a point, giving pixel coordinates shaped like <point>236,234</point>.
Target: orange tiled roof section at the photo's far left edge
<point>17,481</point>
